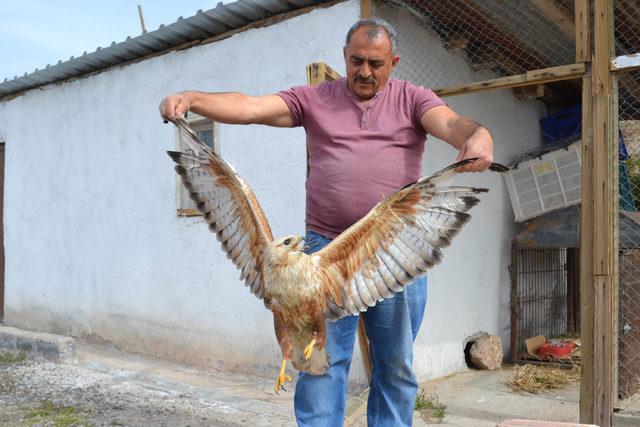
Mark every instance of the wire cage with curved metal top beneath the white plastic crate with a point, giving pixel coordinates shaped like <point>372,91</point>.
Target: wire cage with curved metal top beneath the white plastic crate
<point>545,280</point>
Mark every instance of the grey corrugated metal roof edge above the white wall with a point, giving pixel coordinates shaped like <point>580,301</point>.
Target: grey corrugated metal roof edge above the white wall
<point>210,23</point>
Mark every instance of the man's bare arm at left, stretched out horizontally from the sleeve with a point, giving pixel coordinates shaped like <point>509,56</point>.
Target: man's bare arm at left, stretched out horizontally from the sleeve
<point>229,107</point>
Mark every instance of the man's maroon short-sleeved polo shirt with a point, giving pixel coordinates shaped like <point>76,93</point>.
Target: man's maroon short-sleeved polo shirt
<point>359,152</point>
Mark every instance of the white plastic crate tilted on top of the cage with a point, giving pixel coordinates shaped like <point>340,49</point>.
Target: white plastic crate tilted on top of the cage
<point>547,183</point>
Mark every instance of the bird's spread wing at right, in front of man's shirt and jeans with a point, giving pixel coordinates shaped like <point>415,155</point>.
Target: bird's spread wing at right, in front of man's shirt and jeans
<point>397,241</point>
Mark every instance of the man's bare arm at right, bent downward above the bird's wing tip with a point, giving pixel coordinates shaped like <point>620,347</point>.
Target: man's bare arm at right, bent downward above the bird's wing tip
<point>463,133</point>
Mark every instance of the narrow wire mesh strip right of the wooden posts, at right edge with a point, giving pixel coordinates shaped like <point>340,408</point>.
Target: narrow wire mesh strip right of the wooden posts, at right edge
<point>627,42</point>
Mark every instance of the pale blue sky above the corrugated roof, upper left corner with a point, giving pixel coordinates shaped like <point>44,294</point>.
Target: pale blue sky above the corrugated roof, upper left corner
<point>34,33</point>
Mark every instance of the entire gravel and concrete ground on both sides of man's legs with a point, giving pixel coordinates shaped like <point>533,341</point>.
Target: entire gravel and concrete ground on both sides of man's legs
<point>106,387</point>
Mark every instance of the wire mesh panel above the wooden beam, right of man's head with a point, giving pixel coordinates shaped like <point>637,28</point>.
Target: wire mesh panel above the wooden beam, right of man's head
<point>478,40</point>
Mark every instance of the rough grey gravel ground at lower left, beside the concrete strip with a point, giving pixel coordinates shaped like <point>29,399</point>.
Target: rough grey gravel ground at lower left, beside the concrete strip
<point>50,394</point>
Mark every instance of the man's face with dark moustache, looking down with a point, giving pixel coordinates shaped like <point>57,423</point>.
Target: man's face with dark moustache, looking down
<point>369,62</point>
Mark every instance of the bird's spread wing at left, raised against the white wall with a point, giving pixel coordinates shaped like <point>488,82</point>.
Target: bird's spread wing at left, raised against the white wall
<point>227,204</point>
